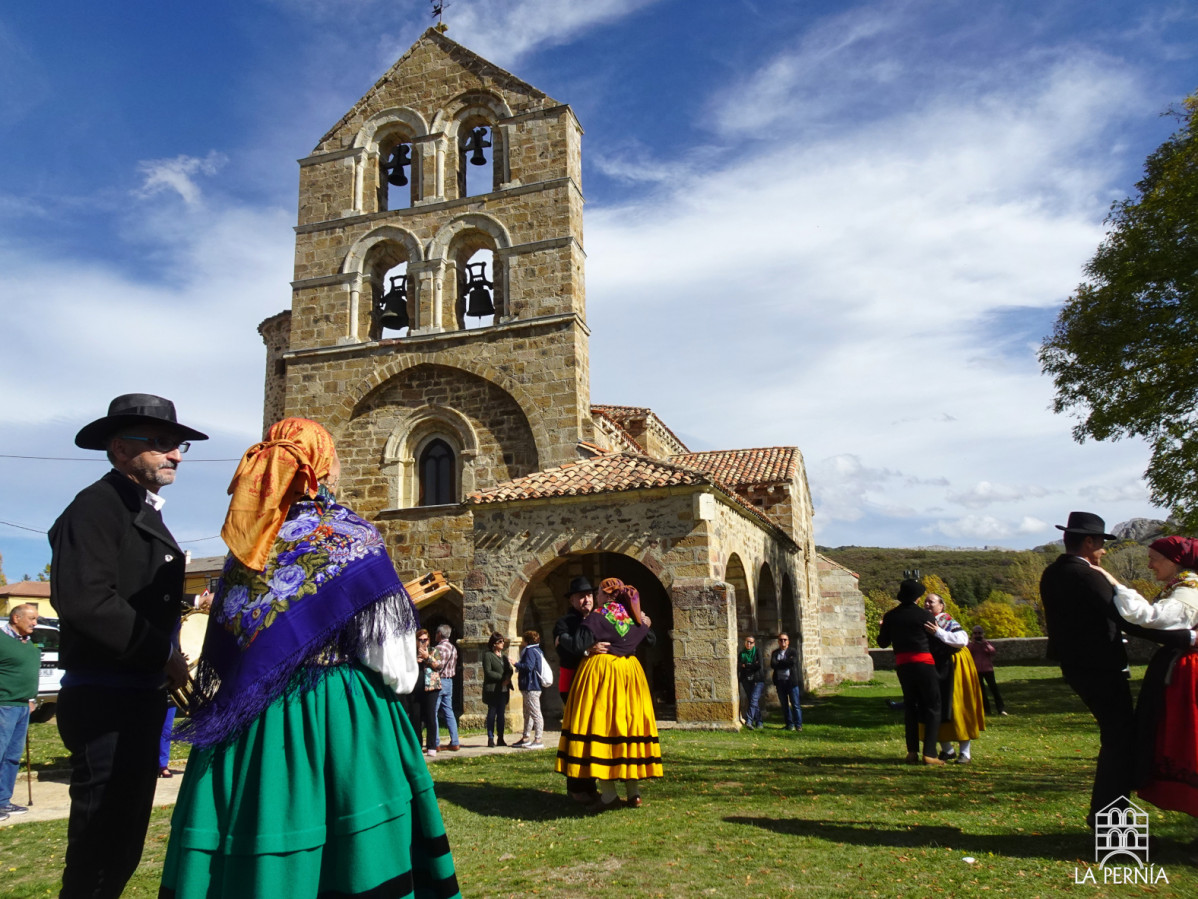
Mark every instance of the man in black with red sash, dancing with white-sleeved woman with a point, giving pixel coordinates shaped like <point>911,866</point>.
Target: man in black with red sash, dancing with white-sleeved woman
<point>906,629</point>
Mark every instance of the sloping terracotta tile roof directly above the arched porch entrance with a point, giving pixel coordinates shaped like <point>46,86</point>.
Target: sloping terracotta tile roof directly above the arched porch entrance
<point>610,473</point>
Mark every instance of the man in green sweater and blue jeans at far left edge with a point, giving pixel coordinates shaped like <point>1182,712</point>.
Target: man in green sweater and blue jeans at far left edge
<point>21,661</point>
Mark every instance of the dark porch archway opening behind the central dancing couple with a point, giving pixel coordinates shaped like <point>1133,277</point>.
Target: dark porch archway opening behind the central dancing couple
<point>544,602</point>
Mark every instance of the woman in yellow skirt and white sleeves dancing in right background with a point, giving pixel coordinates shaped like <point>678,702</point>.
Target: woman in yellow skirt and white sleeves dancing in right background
<point>964,716</point>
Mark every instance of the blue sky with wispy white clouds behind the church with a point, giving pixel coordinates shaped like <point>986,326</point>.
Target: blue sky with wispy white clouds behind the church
<point>840,226</point>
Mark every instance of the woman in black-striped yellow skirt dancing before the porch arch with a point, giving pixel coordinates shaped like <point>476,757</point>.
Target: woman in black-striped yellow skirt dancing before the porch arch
<point>609,732</point>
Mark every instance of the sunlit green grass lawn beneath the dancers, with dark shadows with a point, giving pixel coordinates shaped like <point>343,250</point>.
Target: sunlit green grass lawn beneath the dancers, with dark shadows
<point>831,812</point>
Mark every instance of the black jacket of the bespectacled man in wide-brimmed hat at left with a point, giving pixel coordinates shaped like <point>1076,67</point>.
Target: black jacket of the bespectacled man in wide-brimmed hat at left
<point>117,580</point>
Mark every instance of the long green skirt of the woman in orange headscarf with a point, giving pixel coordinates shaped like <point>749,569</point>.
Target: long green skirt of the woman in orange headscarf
<point>326,794</point>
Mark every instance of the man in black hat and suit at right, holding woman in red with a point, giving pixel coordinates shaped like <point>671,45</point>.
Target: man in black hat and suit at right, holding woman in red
<point>1085,639</point>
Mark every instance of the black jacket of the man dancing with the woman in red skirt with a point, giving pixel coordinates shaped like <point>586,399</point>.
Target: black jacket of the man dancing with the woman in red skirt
<point>1082,622</point>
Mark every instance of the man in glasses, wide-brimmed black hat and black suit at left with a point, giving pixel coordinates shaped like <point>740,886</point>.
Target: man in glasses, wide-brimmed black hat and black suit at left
<point>117,581</point>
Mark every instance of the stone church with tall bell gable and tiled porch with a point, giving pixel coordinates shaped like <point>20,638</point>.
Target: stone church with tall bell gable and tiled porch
<point>439,330</point>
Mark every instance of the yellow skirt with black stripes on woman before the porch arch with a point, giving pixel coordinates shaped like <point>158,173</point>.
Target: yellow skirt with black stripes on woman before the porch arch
<point>609,732</point>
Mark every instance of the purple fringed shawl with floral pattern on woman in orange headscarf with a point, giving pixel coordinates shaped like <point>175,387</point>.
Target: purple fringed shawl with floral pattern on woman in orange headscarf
<point>329,589</point>
